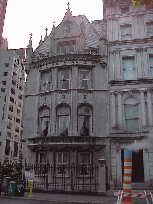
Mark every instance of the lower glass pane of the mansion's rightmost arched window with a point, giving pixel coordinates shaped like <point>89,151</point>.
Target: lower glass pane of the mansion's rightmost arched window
<point>84,125</point>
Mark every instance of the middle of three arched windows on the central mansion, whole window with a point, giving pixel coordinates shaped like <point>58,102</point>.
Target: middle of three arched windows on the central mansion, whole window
<point>63,115</point>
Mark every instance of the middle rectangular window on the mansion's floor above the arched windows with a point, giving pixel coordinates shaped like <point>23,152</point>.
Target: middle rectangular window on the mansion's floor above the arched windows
<point>65,80</point>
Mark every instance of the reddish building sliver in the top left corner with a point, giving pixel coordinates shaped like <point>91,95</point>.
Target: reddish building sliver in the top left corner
<point>3,4</point>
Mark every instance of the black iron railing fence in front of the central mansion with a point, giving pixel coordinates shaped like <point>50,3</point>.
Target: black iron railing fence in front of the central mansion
<point>79,178</point>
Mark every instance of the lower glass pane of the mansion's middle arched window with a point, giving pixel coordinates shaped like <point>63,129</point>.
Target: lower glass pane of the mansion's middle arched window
<point>63,125</point>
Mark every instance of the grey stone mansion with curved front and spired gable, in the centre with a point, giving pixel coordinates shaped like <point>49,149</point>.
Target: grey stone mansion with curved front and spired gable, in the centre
<point>67,96</point>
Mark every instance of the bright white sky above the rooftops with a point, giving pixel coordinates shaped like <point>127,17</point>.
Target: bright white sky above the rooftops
<point>33,16</point>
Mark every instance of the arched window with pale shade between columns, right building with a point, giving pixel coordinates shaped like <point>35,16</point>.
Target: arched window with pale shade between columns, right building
<point>131,114</point>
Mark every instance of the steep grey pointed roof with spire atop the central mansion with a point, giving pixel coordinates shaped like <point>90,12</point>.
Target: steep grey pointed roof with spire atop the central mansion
<point>91,32</point>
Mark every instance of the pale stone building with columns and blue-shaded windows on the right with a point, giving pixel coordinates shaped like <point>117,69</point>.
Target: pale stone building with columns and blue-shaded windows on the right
<point>130,77</point>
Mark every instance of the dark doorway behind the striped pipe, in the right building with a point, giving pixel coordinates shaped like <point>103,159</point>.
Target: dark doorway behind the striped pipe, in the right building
<point>137,166</point>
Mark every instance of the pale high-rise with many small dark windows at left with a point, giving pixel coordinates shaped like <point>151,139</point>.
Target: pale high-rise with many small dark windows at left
<point>12,80</point>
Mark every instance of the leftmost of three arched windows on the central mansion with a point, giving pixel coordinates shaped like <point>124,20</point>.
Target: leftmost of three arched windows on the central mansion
<point>44,121</point>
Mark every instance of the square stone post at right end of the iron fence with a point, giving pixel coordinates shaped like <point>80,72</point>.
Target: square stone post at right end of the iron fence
<point>102,177</point>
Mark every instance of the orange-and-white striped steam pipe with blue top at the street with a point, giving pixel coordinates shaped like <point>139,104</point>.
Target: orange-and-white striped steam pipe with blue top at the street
<point>127,176</point>
